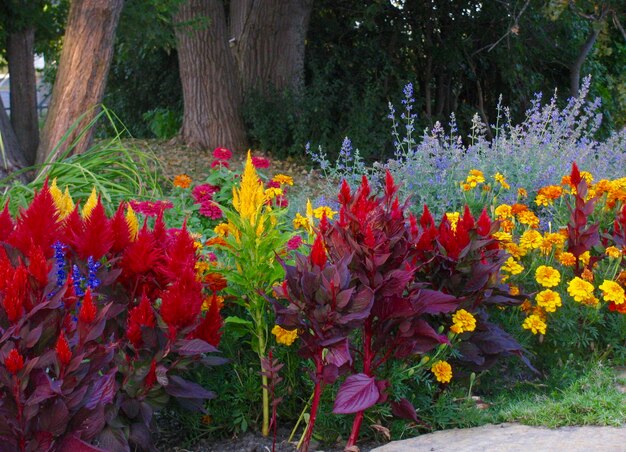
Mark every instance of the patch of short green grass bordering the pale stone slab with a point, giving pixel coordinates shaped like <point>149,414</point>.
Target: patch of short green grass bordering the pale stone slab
<point>590,398</point>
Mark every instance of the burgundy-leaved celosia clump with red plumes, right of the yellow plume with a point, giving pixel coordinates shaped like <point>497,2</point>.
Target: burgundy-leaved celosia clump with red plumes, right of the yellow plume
<point>379,285</point>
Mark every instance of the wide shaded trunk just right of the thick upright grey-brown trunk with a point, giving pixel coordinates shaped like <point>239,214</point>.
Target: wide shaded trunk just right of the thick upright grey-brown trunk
<point>268,41</point>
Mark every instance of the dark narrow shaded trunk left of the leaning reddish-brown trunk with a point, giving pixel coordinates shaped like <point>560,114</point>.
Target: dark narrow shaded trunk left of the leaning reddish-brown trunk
<point>24,116</point>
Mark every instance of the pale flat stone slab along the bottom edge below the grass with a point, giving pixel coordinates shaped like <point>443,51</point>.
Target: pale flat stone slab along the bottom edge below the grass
<point>515,438</point>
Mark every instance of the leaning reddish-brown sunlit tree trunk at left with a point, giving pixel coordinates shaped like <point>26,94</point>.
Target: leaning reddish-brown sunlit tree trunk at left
<point>81,79</point>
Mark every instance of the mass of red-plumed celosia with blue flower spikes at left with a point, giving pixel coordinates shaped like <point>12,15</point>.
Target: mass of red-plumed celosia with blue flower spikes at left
<point>99,317</point>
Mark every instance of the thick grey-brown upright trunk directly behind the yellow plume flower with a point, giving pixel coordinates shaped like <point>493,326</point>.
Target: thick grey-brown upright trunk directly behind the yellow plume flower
<point>211,90</point>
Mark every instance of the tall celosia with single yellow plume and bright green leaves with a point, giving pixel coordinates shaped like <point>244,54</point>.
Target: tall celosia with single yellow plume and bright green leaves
<point>253,237</point>
